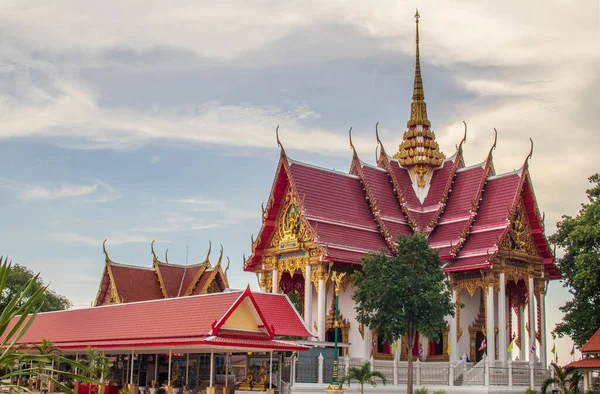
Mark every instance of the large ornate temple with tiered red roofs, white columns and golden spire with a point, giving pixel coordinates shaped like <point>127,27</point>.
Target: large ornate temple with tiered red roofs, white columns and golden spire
<point>486,226</point>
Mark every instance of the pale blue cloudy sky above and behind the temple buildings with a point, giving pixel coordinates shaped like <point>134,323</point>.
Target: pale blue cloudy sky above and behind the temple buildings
<point>142,120</point>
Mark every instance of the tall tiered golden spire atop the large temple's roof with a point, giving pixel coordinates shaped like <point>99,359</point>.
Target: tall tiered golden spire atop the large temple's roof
<point>419,148</point>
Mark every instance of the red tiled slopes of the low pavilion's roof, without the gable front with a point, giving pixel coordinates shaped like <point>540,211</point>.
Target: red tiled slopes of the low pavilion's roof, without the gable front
<point>188,318</point>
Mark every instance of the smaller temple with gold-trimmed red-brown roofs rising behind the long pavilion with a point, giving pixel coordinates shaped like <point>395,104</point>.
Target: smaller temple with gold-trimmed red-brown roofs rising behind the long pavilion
<point>127,283</point>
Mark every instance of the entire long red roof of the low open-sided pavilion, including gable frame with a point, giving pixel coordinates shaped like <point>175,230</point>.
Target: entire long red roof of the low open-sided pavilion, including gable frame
<point>184,321</point>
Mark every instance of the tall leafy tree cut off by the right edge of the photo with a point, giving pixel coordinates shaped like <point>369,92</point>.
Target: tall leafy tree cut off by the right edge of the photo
<point>580,268</point>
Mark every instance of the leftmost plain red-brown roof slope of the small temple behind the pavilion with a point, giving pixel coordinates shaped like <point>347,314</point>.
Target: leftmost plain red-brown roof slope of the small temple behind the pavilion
<point>135,283</point>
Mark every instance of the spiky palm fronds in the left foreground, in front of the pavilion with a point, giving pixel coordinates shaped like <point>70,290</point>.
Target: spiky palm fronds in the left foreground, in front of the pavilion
<point>15,319</point>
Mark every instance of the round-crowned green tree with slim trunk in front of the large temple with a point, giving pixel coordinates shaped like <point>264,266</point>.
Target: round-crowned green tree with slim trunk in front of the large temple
<point>403,294</point>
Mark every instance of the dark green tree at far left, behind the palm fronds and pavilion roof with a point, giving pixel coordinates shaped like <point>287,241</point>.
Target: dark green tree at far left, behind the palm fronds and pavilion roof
<point>18,277</point>
